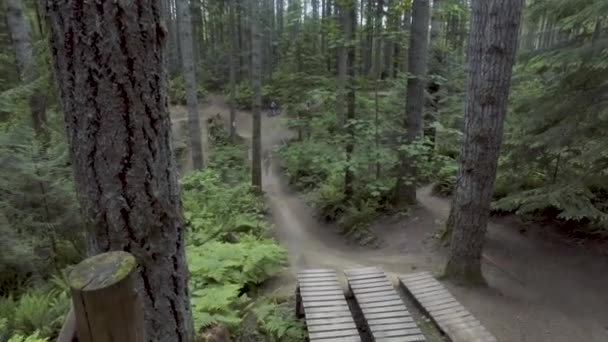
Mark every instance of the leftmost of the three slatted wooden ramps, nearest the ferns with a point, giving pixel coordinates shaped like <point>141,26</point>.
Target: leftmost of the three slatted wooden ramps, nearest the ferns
<point>320,299</point>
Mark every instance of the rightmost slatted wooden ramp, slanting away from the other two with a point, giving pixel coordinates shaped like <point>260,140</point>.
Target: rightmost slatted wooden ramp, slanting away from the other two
<point>447,313</point>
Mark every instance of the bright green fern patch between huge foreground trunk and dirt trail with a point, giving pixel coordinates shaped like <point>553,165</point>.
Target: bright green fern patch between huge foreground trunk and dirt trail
<point>229,250</point>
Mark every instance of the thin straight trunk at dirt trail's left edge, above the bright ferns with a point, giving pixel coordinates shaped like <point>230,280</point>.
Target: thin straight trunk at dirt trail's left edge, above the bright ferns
<point>256,85</point>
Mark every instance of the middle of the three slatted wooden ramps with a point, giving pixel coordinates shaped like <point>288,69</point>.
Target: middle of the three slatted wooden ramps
<point>384,314</point>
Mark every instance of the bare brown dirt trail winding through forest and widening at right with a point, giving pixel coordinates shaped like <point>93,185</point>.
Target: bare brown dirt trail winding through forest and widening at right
<point>542,288</point>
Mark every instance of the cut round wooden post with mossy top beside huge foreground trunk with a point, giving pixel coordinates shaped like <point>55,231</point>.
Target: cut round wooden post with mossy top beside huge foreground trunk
<point>106,305</point>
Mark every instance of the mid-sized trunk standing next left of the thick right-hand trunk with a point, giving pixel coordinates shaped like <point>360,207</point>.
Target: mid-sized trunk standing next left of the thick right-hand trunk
<point>418,54</point>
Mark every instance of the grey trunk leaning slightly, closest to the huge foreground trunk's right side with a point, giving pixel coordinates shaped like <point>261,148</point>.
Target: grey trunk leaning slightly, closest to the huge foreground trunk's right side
<point>189,72</point>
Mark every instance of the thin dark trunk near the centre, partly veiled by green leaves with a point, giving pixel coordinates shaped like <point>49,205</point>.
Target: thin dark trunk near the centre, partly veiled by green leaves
<point>348,23</point>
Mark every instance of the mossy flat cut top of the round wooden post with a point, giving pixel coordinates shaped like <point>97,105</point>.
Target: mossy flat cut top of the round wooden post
<point>101,271</point>
